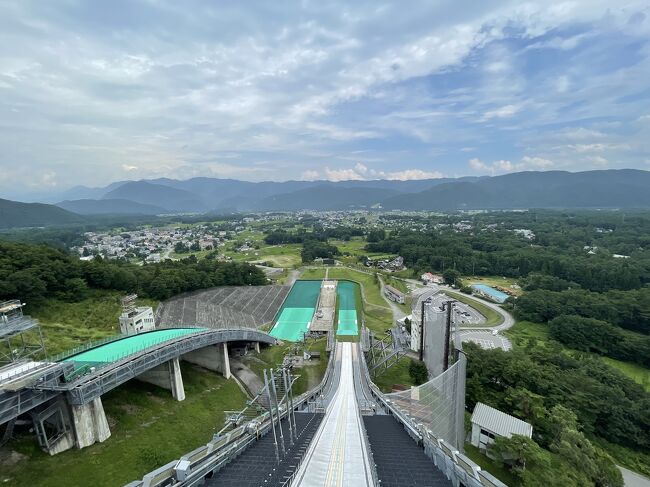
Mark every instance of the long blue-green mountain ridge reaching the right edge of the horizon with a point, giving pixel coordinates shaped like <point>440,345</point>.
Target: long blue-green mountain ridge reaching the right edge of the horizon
<point>624,188</point>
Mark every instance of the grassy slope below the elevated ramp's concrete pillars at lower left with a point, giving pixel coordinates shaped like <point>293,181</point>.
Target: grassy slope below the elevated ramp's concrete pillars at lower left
<point>149,428</point>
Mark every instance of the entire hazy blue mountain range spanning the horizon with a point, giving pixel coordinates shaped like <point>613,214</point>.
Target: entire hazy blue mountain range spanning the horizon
<point>623,188</point>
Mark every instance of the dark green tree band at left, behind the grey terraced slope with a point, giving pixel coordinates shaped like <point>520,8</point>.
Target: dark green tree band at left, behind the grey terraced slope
<point>37,272</point>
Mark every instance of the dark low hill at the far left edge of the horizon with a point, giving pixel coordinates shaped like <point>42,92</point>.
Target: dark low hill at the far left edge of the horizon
<point>15,214</point>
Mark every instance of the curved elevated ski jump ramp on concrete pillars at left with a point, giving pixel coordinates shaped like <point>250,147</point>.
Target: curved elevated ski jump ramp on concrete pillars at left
<point>64,398</point>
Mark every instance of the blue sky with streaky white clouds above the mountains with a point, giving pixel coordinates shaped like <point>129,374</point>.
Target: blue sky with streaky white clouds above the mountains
<point>93,92</point>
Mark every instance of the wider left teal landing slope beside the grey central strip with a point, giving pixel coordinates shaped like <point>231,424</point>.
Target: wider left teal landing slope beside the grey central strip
<point>297,311</point>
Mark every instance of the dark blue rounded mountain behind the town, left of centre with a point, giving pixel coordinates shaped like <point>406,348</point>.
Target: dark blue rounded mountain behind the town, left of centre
<point>173,200</point>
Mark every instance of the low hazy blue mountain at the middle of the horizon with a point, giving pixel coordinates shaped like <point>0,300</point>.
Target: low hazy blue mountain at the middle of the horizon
<point>326,197</point>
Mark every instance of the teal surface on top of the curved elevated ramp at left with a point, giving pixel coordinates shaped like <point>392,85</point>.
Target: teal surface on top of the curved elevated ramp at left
<point>118,349</point>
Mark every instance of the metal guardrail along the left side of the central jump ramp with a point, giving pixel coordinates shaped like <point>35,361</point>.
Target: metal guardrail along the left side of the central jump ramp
<point>191,469</point>
